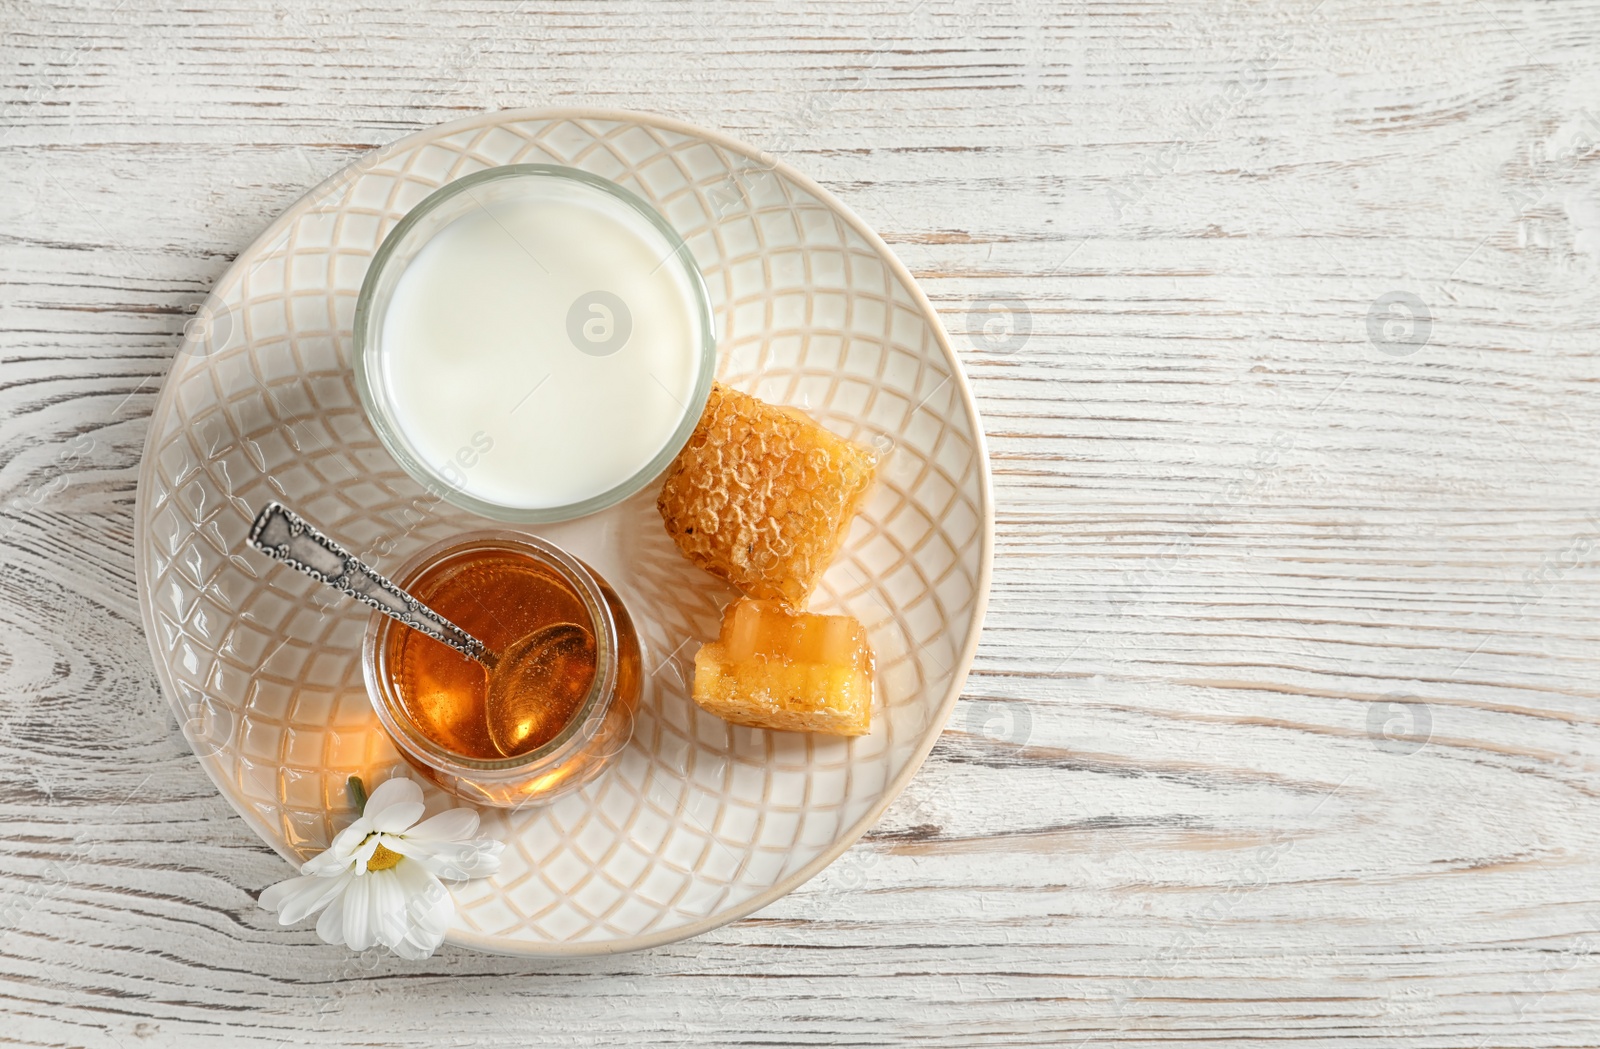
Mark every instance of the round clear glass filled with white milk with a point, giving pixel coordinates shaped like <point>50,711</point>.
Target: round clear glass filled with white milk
<point>534,343</point>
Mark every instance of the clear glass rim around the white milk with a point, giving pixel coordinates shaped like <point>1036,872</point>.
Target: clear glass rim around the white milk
<point>375,402</point>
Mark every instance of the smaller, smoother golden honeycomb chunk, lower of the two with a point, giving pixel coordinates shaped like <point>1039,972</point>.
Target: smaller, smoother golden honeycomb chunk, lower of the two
<point>778,671</point>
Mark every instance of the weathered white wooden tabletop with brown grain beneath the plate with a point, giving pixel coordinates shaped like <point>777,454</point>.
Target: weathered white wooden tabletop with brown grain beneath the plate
<point>1286,728</point>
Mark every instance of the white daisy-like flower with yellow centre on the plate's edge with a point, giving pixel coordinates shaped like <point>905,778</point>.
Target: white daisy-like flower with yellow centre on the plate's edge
<point>380,880</point>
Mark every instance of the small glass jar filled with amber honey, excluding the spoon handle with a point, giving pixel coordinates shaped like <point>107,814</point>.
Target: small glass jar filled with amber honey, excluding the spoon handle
<point>436,704</point>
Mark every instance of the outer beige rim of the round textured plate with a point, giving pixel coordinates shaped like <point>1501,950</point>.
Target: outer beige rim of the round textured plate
<point>969,648</point>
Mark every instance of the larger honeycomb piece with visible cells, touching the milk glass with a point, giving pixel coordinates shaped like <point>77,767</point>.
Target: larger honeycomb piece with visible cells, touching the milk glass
<point>762,497</point>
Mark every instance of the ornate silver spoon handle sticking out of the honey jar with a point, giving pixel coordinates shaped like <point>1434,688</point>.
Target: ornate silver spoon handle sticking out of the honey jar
<point>286,536</point>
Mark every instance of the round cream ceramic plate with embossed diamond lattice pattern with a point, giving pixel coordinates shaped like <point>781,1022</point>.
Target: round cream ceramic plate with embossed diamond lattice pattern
<point>702,823</point>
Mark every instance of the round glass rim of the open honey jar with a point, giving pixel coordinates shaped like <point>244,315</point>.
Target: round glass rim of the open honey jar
<point>583,724</point>
